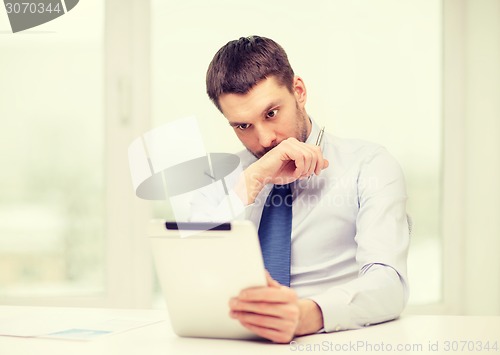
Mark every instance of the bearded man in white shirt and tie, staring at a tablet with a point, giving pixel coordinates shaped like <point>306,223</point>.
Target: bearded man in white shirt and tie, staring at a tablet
<point>349,232</point>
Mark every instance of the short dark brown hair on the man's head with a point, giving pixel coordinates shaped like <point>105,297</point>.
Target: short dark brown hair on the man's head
<point>241,64</point>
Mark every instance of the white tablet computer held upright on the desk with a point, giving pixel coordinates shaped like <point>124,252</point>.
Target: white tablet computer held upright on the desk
<point>198,274</point>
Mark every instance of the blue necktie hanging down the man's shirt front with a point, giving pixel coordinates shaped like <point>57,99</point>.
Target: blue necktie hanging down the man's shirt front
<point>275,232</point>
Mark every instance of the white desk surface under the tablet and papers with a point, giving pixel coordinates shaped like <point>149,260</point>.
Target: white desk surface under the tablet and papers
<point>419,334</point>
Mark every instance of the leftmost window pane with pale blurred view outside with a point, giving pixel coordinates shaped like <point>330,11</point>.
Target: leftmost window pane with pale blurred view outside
<point>52,186</point>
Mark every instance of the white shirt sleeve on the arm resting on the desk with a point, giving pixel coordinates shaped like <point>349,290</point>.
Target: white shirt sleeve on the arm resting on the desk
<point>380,292</point>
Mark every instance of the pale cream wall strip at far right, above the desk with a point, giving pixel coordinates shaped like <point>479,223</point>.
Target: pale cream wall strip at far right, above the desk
<point>472,127</point>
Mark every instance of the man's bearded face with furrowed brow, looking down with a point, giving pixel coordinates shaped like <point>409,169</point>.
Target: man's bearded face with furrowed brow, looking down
<point>268,114</point>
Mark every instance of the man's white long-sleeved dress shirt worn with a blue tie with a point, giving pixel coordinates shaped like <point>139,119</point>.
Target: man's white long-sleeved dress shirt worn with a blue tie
<point>350,232</point>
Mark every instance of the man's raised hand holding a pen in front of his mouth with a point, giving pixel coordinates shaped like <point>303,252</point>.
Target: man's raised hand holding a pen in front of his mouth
<point>288,161</point>
